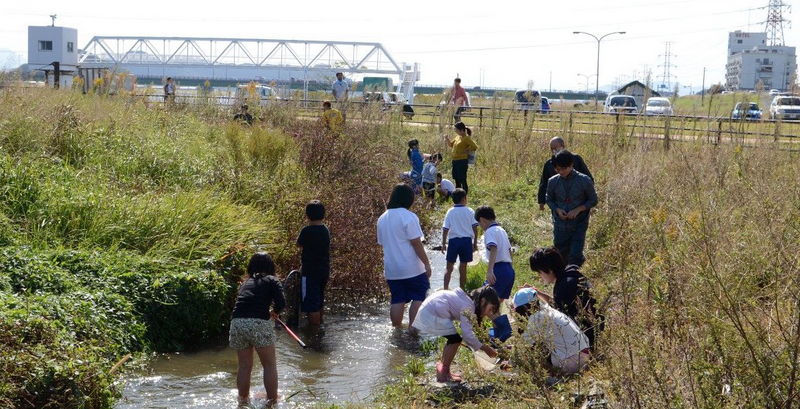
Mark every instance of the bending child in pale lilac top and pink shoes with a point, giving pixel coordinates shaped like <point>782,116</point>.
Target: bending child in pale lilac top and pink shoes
<point>436,316</point>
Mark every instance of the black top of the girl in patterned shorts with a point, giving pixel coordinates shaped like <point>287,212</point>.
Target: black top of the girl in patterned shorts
<point>255,297</point>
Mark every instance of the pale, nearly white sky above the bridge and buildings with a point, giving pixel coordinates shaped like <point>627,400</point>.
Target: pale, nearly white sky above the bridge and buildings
<point>491,43</point>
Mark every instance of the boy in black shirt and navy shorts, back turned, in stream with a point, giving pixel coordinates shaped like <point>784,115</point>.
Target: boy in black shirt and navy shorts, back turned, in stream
<point>315,239</point>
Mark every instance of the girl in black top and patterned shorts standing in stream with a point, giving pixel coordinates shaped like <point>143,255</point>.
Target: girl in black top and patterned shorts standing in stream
<point>252,326</point>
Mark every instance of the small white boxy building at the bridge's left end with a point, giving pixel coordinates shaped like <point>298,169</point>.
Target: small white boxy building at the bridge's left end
<point>49,44</point>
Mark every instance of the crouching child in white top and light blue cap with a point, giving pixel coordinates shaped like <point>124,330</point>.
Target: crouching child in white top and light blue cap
<point>561,338</point>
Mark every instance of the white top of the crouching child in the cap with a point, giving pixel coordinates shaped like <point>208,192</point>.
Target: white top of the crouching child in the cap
<point>556,331</point>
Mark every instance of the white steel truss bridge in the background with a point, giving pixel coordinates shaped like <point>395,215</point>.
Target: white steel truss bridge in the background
<point>221,58</point>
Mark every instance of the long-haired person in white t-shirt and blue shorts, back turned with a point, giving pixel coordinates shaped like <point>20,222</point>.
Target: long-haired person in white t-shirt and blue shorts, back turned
<point>405,263</point>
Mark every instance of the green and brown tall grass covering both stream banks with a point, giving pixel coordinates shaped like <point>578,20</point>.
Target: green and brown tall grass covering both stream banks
<point>124,228</point>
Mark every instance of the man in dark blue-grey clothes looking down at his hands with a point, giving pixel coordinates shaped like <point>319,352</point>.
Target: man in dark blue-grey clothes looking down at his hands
<point>570,195</point>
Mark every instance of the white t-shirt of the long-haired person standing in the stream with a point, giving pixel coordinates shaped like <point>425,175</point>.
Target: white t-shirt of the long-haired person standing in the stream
<point>396,229</point>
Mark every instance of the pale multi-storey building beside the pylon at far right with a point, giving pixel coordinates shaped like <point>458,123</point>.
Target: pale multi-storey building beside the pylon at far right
<point>750,60</point>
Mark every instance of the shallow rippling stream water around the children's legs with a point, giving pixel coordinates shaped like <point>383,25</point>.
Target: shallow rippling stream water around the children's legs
<point>353,354</point>
